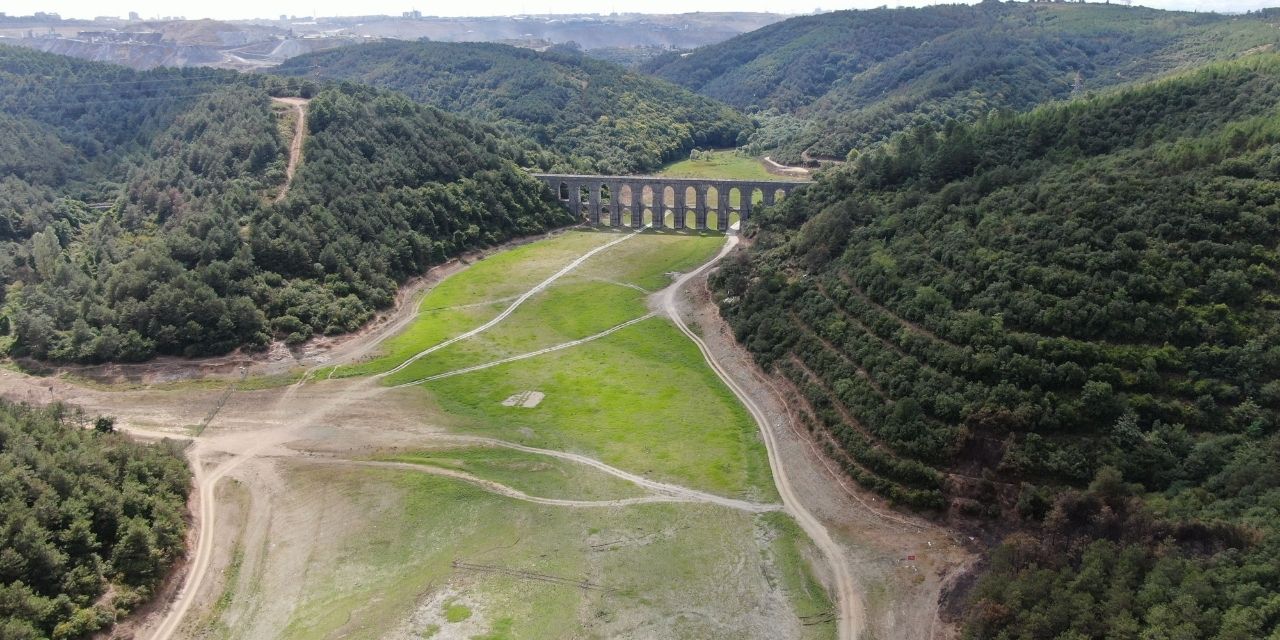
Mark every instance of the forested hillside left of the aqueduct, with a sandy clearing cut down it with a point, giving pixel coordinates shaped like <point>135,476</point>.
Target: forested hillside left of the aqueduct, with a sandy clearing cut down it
<point>140,220</point>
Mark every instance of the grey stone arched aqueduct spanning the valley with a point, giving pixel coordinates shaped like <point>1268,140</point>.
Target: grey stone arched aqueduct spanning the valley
<point>639,200</point>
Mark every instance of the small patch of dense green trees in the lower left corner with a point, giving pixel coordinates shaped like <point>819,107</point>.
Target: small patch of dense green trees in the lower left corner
<point>84,513</point>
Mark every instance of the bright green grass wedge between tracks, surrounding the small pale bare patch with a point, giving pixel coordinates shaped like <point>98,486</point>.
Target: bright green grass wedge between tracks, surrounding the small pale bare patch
<point>639,400</point>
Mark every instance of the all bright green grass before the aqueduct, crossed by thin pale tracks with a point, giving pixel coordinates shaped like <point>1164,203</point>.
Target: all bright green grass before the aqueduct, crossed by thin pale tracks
<point>641,400</point>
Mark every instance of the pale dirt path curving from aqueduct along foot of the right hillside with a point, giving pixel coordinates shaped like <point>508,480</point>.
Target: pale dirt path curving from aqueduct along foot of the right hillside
<point>851,619</point>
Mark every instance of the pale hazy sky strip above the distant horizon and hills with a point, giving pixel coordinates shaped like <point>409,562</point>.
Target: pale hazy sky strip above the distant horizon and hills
<point>226,10</point>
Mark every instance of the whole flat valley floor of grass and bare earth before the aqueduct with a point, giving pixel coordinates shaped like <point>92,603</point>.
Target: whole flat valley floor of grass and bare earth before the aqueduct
<point>637,465</point>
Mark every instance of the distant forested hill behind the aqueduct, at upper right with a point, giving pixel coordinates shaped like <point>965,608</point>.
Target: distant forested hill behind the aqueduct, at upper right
<point>826,85</point>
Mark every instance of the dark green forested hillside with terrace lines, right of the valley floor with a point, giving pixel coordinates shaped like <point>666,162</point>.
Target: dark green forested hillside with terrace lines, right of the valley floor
<point>1066,323</point>
